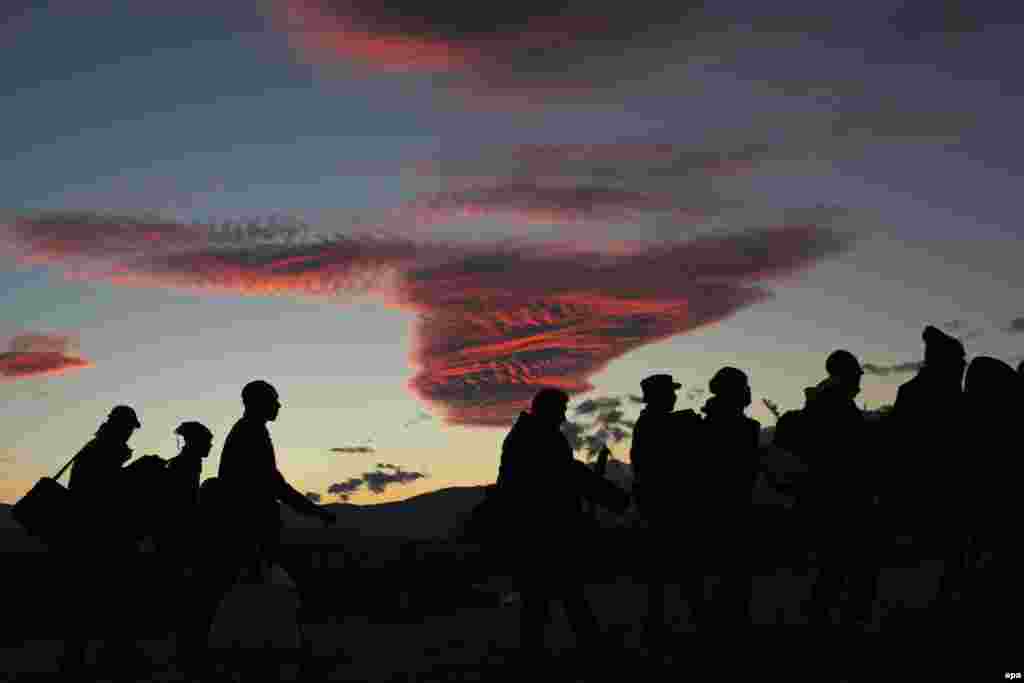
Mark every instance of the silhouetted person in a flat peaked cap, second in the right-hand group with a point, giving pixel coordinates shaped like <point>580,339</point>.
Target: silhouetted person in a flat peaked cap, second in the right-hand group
<point>655,461</point>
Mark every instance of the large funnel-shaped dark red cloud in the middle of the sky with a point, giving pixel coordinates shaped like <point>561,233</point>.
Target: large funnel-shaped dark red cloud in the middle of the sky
<point>496,328</point>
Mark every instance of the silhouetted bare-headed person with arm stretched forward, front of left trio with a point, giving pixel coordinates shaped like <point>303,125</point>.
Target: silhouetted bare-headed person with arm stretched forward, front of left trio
<point>248,489</point>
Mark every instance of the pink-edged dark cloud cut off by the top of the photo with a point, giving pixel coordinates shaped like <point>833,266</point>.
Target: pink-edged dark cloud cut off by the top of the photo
<point>505,46</point>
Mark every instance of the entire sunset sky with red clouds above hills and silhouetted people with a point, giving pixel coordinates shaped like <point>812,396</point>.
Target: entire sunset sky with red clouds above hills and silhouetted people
<point>410,217</point>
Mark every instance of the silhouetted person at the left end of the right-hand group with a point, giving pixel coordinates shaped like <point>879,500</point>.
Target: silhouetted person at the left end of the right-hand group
<point>538,481</point>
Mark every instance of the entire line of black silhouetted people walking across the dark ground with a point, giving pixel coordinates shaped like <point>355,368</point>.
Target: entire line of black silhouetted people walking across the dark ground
<point>942,468</point>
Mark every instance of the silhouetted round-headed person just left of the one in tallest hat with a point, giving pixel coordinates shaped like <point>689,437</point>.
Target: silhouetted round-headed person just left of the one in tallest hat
<point>838,493</point>
